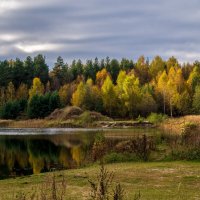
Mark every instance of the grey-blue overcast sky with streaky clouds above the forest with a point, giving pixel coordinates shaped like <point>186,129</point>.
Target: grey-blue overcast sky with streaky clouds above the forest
<point>87,29</point>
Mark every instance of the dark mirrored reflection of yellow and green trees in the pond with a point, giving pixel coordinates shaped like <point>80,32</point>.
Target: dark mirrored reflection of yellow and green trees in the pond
<point>23,155</point>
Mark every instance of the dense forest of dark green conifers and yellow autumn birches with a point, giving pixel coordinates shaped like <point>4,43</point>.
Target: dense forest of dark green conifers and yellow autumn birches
<point>30,89</point>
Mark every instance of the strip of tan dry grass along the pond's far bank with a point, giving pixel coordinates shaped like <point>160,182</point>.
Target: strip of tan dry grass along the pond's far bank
<point>173,125</point>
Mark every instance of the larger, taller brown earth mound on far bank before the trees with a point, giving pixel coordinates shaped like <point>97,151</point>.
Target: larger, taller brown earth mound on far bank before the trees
<point>69,112</point>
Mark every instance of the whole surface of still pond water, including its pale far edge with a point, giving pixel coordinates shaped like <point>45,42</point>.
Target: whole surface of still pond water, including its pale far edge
<point>32,151</point>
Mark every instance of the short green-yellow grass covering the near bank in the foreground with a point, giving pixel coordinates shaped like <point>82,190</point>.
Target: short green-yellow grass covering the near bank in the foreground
<point>155,181</point>
